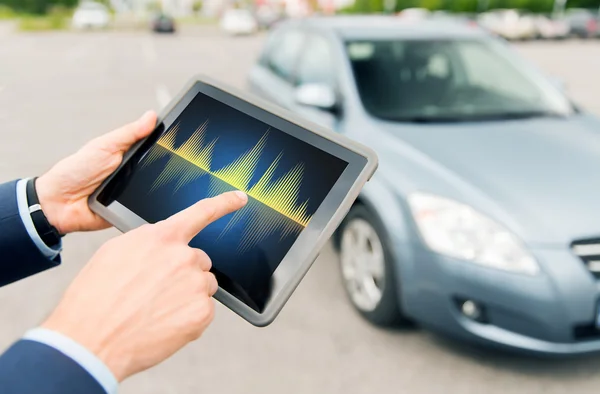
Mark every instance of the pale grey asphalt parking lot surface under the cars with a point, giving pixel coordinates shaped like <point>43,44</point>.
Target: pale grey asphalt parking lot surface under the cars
<point>59,90</point>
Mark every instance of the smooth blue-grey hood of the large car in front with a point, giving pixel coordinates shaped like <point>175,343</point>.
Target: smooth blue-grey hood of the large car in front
<point>539,177</point>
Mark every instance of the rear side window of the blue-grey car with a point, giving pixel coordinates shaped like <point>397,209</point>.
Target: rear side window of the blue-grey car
<point>283,52</point>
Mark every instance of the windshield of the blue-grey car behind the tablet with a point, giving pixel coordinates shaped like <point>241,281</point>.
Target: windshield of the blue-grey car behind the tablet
<point>450,80</point>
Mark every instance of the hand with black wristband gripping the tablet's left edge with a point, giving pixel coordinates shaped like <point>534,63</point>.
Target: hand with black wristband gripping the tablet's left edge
<point>64,190</point>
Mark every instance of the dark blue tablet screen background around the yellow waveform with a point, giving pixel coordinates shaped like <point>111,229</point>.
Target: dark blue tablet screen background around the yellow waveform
<point>246,272</point>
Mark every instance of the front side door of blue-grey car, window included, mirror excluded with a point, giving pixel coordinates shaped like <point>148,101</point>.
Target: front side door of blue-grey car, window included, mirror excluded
<point>316,66</point>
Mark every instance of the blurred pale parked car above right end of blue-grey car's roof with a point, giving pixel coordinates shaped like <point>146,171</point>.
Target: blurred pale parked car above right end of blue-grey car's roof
<point>509,24</point>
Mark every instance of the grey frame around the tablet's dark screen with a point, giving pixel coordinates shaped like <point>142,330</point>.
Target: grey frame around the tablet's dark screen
<point>362,163</point>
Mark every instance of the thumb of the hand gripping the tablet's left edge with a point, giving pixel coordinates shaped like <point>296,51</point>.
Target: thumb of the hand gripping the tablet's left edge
<point>121,139</point>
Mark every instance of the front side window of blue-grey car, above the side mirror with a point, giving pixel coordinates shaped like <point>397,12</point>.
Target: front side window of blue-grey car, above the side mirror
<point>316,63</point>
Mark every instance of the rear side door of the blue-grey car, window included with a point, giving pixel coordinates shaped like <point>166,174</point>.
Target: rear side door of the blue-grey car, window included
<point>273,77</point>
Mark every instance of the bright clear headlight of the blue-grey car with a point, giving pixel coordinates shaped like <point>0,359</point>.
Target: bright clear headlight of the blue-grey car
<point>457,230</point>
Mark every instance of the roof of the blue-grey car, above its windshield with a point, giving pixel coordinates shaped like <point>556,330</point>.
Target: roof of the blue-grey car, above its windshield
<point>385,27</point>
